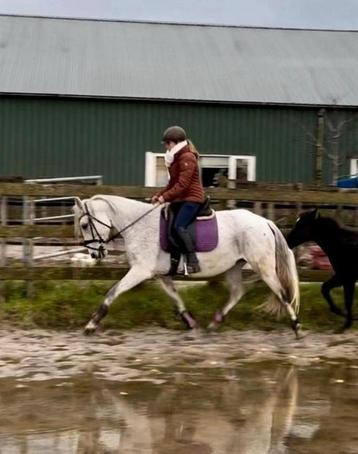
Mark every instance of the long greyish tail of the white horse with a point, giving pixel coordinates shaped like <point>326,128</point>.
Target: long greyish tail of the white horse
<point>287,274</point>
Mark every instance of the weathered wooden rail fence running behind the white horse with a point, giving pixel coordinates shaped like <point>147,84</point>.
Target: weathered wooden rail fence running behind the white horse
<point>281,203</point>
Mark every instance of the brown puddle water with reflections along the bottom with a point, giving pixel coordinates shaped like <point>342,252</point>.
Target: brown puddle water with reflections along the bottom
<point>254,409</point>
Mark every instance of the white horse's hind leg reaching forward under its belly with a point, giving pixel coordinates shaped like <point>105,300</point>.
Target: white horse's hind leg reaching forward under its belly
<point>233,278</point>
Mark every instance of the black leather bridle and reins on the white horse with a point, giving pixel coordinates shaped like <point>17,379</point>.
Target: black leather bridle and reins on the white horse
<point>96,236</point>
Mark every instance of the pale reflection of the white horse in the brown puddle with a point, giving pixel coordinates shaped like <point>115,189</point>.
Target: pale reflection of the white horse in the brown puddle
<point>251,417</point>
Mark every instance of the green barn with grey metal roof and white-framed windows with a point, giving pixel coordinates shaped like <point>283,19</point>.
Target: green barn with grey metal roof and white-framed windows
<point>84,97</point>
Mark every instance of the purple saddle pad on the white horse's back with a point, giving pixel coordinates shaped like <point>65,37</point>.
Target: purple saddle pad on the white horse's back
<point>206,233</point>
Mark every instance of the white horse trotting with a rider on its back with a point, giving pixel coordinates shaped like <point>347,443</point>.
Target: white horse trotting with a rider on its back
<point>244,237</point>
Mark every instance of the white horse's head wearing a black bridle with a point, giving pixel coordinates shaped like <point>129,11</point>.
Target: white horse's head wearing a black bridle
<point>93,223</point>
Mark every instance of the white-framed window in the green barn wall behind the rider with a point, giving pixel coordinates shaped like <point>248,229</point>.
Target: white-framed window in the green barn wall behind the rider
<point>216,170</point>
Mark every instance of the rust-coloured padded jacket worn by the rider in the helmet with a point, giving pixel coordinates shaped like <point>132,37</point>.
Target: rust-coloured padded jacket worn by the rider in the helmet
<point>184,184</point>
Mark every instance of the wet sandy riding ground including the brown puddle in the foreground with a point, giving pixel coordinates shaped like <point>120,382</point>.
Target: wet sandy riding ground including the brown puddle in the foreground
<point>162,392</point>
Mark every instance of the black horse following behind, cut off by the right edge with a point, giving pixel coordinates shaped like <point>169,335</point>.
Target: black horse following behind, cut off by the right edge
<point>341,246</point>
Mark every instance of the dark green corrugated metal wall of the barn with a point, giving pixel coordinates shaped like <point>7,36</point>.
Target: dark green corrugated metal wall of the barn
<point>58,137</point>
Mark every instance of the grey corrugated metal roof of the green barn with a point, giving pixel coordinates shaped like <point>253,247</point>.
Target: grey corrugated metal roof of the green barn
<point>178,62</point>
